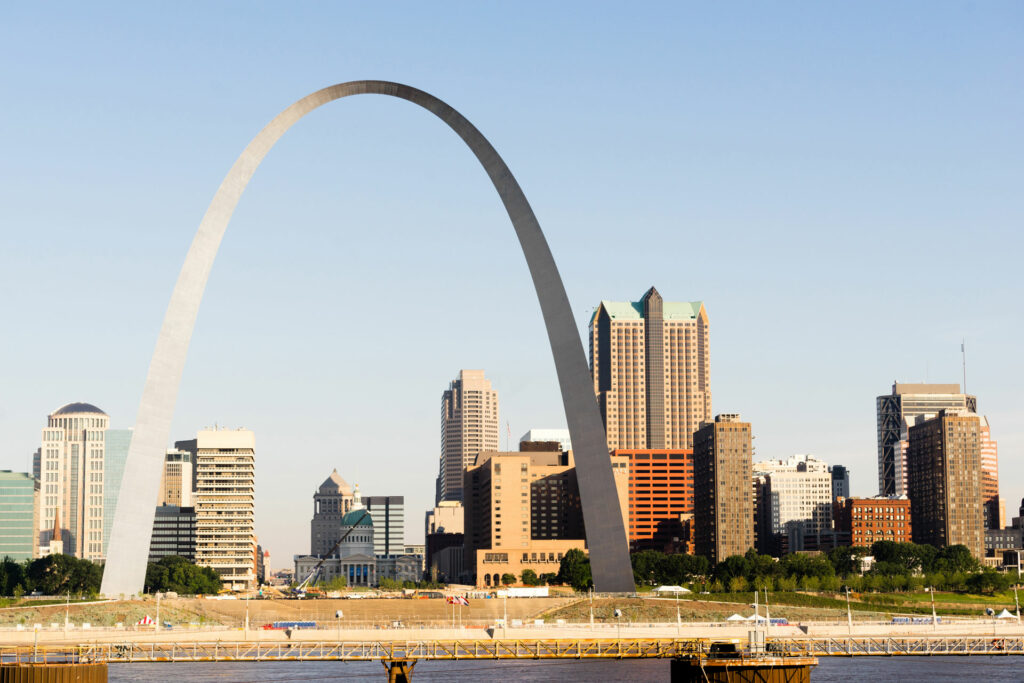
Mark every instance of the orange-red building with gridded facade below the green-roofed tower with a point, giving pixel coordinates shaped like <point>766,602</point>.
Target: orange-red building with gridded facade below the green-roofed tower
<point>661,499</point>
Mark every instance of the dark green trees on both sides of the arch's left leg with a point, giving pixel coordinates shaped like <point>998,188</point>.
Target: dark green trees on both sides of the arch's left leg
<point>65,575</point>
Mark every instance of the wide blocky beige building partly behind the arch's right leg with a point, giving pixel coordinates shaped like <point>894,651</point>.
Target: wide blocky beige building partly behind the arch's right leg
<point>523,513</point>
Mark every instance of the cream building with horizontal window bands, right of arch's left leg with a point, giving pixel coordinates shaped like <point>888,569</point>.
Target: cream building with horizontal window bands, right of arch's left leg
<point>226,490</point>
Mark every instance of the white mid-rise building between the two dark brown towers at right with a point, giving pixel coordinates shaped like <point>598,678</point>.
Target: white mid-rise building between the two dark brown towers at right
<point>794,501</point>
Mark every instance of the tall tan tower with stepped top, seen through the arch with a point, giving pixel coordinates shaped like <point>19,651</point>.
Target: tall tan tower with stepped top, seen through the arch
<point>470,426</point>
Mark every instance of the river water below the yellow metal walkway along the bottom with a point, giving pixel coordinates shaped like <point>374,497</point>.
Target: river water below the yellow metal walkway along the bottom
<point>831,670</point>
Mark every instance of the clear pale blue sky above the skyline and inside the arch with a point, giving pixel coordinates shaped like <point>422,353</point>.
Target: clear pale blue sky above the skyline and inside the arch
<point>840,185</point>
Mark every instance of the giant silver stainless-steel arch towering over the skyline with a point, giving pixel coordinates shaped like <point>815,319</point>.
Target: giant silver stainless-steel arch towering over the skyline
<point>129,551</point>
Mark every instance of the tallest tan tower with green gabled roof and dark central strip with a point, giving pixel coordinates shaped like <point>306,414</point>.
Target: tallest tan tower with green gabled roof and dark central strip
<point>651,362</point>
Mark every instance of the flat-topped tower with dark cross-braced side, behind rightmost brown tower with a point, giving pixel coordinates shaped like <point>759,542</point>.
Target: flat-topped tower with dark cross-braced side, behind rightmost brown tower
<point>897,412</point>
